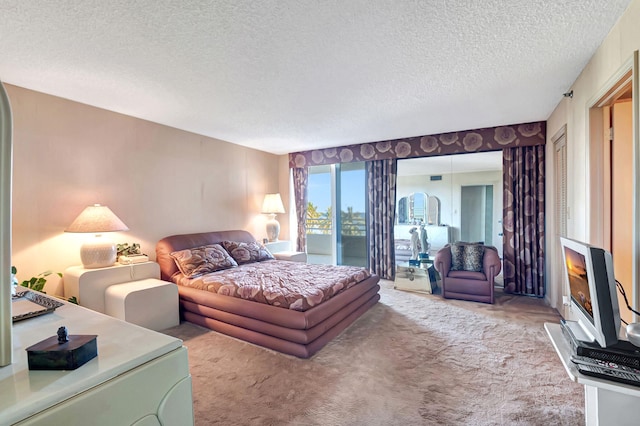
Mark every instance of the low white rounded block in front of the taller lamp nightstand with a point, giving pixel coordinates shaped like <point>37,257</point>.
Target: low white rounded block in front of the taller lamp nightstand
<point>150,303</point>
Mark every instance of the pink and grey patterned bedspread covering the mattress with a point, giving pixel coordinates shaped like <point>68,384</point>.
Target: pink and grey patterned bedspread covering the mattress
<point>294,285</point>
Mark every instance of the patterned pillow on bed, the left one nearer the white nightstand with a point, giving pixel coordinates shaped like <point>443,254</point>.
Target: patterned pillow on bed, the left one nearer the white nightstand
<point>202,260</point>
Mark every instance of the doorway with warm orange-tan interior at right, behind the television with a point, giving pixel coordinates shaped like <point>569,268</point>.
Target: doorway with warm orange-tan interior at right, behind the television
<point>614,164</point>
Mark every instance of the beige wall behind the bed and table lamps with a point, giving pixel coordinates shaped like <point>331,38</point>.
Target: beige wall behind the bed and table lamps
<point>159,180</point>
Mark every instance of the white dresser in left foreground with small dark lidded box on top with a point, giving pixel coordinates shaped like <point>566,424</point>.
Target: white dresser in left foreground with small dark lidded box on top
<point>139,376</point>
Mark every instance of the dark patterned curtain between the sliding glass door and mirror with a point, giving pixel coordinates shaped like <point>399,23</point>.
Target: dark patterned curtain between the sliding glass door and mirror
<point>381,185</point>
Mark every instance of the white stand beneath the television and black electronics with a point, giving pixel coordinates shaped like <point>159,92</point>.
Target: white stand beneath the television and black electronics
<point>605,401</point>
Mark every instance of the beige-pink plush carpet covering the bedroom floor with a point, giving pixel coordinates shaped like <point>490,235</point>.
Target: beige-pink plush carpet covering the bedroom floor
<point>412,359</point>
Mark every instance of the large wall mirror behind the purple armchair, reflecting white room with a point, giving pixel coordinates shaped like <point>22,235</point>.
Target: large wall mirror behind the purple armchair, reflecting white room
<point>463,200</point>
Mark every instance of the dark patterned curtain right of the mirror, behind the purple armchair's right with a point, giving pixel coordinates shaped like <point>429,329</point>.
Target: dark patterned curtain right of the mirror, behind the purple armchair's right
<point>523,220</point>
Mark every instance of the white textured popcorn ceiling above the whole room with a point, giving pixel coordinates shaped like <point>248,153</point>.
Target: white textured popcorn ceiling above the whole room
<point>291,75</point>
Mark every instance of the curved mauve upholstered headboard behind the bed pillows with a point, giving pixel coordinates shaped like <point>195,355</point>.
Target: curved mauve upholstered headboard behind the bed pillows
<point>167,245</point>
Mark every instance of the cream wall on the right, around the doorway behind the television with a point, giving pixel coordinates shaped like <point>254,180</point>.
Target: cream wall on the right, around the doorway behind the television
<point>616,49</point>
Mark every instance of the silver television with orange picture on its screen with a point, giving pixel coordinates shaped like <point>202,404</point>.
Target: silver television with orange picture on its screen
<point>594,312</point>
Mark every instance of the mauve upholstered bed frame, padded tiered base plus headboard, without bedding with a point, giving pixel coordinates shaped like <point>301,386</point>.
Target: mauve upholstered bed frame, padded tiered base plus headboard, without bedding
<point>289,331</point>
